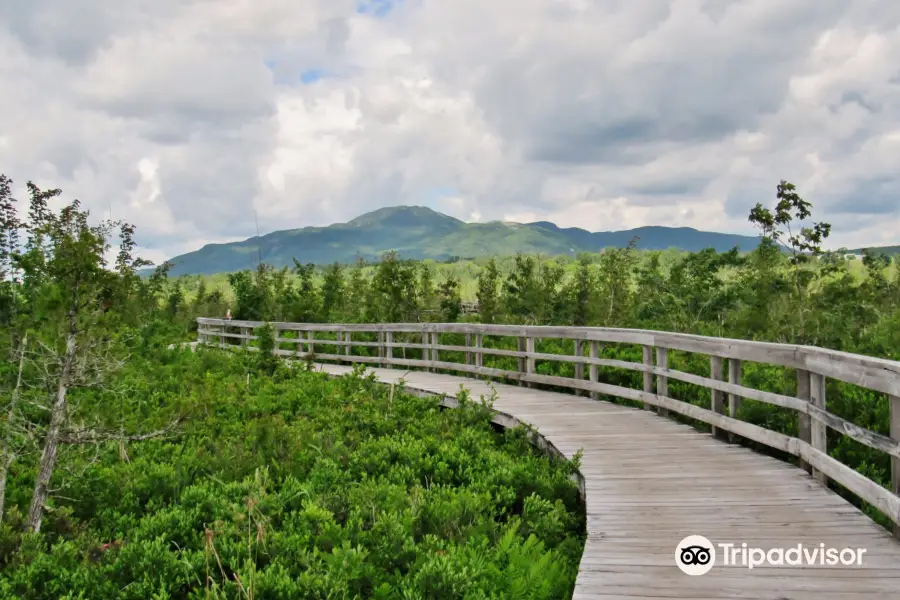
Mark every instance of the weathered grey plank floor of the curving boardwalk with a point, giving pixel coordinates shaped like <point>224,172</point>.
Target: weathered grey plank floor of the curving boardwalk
<point>650,482</point>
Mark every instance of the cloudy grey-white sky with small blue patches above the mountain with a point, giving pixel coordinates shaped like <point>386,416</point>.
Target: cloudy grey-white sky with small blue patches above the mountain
<point>186,117</point>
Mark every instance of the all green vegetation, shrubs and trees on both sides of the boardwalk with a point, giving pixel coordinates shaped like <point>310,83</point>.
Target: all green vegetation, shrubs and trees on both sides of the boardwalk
<point>128,470</point>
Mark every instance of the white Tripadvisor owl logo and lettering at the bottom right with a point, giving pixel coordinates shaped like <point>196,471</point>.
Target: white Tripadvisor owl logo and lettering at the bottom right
<point>696,555</point>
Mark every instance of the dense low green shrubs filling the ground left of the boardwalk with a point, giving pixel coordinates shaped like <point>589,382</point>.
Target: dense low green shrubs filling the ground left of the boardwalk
<point>293,485</point>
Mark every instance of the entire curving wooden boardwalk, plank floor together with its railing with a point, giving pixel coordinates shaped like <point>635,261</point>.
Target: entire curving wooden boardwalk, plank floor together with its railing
<point>772,530</point>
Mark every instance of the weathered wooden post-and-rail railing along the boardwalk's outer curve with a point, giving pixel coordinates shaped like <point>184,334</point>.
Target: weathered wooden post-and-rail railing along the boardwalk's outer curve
<point>812,366</point>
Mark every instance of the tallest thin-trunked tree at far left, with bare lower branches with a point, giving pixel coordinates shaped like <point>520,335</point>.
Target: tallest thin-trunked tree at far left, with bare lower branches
<point>66,287</point>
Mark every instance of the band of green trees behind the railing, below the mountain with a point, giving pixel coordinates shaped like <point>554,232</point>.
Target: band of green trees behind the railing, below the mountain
<point>787,290</point>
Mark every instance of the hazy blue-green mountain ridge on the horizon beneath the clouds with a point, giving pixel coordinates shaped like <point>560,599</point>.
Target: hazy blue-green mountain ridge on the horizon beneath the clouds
<point>419,232</point>
